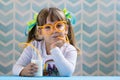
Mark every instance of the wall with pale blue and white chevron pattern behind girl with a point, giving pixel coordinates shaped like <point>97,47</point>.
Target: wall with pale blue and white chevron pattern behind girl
<point>97,33</point>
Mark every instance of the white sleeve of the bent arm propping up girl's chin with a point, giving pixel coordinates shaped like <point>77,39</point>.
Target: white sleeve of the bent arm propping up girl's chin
<point>65,64</point>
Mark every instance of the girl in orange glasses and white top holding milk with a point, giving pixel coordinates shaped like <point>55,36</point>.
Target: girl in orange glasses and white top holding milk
<point>57,46</point>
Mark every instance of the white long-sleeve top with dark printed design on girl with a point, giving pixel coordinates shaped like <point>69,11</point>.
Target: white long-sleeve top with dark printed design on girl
<point>61,59</point>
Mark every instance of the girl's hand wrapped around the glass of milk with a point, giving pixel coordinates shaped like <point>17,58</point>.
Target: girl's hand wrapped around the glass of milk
<point>29,70</point>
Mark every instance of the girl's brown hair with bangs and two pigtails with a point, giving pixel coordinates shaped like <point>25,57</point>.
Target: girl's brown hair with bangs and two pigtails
<point>53,14</point>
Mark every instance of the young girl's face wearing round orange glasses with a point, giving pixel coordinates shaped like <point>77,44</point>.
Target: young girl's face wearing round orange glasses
<point>53,31</point>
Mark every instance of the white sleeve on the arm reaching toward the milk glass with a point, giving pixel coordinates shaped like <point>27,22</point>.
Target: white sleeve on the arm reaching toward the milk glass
<point>24,60</point>
